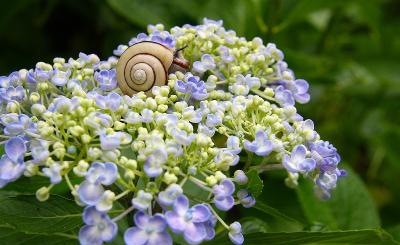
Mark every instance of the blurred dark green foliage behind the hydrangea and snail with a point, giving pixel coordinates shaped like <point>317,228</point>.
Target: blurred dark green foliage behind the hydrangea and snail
<point>349,51</point>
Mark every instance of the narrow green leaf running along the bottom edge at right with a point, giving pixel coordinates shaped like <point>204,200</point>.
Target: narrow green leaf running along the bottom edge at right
<point>377,236</point>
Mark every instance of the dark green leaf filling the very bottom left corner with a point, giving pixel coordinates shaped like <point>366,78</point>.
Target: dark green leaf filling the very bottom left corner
<point>9,236</point>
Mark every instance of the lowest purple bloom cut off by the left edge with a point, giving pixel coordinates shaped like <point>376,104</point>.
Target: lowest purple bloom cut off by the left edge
<point>9,170</point>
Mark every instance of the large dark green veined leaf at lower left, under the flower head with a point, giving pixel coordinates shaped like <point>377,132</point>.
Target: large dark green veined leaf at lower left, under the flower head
<point>26,214</point>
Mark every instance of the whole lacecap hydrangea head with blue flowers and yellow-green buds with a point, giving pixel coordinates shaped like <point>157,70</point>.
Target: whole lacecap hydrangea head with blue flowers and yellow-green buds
<point>180,155</point>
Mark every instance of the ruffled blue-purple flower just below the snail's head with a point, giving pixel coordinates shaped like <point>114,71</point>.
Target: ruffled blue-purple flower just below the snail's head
<point>192,87</point>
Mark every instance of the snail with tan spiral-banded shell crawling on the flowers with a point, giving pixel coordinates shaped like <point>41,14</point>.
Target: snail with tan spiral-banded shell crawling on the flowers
<point>147,64</point>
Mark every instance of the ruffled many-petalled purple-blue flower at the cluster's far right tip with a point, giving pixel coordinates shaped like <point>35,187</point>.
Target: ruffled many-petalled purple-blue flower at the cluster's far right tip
<point>325,154</point>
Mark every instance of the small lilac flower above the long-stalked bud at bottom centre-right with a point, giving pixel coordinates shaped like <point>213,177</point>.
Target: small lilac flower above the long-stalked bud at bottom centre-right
<point>223,198</point>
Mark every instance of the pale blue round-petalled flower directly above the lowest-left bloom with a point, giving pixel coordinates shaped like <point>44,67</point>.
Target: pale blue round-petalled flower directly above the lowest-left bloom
<point>91,190</point>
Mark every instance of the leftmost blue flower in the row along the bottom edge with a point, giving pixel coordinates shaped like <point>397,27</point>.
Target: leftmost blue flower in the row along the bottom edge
<point>98,229</point>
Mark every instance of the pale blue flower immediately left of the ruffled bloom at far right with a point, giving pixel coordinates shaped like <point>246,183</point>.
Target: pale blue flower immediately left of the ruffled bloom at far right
<point>297,161</point>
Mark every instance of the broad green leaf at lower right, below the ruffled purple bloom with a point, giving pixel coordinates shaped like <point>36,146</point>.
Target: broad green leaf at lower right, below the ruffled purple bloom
<point>350,207</point>
